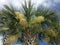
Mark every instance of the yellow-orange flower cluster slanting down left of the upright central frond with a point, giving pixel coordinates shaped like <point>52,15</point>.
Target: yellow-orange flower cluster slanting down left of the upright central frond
<point>21,18</point>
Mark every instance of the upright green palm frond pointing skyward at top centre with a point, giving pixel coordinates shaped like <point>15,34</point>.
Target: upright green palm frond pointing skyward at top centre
<point>28,9</point>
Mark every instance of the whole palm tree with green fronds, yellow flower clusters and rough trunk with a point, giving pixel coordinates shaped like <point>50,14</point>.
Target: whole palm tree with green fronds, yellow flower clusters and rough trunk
<point>24,25</point>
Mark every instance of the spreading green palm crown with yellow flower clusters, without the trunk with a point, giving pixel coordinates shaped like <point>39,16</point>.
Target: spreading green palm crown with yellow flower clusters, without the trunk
<point>30,19</point>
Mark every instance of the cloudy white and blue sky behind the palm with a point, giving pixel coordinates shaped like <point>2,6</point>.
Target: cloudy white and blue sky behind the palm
<point>54,4</point>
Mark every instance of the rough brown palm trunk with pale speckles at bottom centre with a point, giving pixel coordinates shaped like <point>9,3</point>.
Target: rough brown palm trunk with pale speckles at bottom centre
<point>29,39</point>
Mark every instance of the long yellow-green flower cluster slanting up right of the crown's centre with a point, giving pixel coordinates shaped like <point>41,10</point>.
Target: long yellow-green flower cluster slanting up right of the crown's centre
<point>36,20</point>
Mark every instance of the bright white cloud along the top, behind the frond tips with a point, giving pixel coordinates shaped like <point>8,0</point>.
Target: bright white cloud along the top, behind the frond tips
<point>18,2</point>
